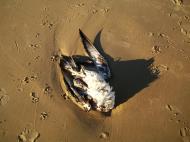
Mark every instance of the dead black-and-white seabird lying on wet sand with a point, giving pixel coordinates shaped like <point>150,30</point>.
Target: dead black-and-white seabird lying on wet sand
<point>84,78</point>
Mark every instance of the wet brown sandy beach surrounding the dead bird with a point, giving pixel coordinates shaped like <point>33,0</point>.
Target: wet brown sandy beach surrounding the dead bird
<point>147,45</point>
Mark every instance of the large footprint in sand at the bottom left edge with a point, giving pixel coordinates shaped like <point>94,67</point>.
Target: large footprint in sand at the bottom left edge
<point>28,135</point>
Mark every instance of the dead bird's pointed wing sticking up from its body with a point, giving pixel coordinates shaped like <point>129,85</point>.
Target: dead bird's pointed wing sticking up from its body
<point>99,61</point>
